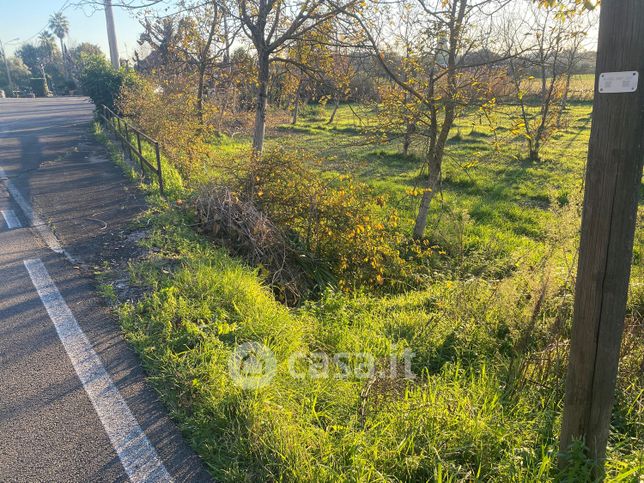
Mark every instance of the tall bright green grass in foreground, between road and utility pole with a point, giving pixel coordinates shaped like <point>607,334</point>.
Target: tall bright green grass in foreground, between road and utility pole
<point>460,419</point>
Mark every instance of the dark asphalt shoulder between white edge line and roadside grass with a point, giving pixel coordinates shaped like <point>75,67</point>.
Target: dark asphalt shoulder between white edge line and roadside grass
<point>91,205</point>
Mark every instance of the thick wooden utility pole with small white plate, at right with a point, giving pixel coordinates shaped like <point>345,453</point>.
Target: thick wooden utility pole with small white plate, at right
<point>613,177</point>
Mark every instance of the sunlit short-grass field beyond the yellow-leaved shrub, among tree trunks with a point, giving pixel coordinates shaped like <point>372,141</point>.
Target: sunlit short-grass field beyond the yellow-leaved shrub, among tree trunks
<point>502,202</point>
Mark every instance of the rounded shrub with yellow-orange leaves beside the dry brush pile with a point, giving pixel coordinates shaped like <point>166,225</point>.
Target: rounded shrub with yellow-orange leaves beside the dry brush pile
<point>336,221</point>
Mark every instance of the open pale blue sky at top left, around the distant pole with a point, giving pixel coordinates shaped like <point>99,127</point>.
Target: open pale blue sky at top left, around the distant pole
<point>25,19</point>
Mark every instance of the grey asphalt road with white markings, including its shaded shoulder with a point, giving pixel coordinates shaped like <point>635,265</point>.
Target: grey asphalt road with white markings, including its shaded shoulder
<point>74,404</point>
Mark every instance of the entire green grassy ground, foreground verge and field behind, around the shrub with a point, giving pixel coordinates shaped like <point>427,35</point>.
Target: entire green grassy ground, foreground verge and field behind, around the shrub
<point>488,331</point>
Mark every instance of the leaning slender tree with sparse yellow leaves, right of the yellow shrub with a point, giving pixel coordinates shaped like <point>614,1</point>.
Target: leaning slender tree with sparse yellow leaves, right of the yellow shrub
<point>444,83</point>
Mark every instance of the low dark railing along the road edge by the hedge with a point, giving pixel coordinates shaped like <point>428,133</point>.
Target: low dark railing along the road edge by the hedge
<point>129,135</point>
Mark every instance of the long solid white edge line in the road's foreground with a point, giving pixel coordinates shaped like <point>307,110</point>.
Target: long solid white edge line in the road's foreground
<point>133,448</point>
